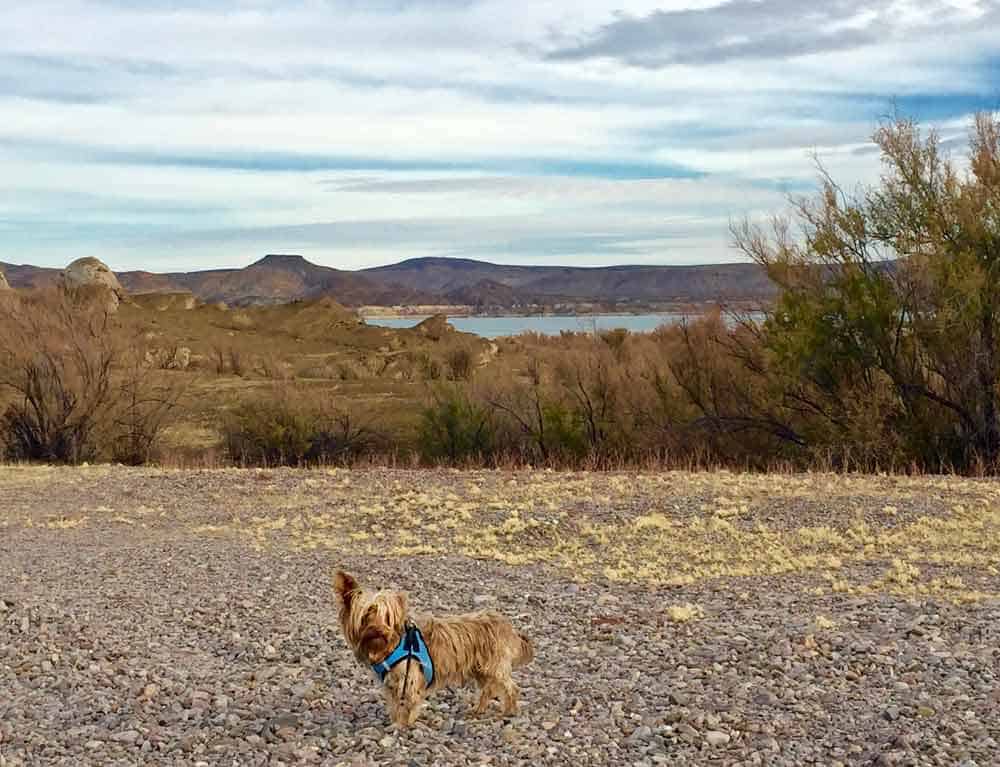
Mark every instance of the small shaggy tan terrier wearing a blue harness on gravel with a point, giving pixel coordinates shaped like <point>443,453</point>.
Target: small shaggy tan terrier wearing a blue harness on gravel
<point>417,657</point>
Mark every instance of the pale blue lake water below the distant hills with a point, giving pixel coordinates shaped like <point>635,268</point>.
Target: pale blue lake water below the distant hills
<point>552,325</point>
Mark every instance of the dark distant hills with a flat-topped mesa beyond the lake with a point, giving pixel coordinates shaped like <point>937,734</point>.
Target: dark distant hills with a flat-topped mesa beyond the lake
<point>280,278</point>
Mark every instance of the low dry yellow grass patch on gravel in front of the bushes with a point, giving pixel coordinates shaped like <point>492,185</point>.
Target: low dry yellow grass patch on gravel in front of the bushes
<point>831,534</point>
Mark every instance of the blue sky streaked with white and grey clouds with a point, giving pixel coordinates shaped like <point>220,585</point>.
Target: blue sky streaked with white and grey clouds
<point>193,134</point>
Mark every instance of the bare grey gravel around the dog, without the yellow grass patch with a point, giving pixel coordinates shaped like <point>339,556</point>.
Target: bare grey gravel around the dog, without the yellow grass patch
<point>134,631</point>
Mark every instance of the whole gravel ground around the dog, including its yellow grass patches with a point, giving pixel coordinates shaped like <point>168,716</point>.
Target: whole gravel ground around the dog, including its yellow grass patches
<point>186,618</point>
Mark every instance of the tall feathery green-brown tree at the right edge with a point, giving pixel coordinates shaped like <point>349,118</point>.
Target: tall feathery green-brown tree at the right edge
<point>890,302</point>
